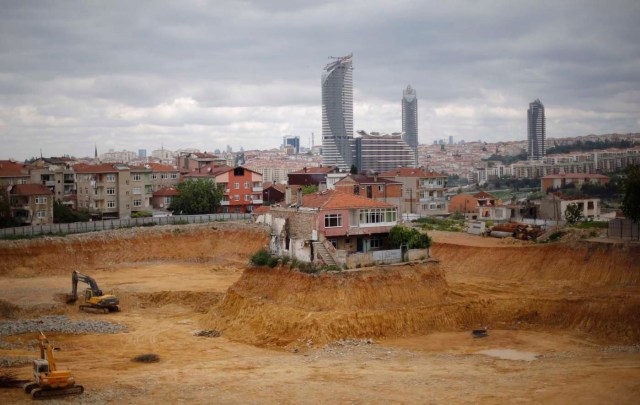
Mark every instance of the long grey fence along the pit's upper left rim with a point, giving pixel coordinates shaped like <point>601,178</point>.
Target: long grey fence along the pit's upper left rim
<point>81,227</point>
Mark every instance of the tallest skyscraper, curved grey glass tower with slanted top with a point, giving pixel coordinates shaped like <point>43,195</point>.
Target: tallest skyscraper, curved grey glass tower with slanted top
<point>337,113</point>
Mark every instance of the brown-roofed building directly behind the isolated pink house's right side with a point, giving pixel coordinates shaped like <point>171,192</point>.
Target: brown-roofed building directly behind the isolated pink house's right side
<point>374,187</point>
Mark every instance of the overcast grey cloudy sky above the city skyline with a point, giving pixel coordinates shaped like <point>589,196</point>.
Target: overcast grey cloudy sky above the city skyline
<point>206,74</point>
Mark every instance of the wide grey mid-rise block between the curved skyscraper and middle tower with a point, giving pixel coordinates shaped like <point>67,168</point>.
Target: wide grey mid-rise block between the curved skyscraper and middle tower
<point>379,153</point>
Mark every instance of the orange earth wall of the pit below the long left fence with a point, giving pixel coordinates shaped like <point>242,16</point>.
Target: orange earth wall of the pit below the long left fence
<point>186,243</point>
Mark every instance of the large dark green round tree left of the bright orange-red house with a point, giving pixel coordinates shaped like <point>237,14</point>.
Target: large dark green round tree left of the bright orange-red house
<point>199,196</point>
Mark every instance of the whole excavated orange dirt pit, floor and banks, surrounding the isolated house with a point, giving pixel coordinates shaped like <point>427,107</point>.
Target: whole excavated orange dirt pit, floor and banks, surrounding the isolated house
<point>563,321</point>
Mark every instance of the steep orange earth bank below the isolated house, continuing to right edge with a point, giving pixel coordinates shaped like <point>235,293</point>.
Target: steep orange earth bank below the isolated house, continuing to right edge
<point>518,288</point>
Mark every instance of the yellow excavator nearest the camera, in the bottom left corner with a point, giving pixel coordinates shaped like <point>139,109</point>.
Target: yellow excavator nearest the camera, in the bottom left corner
<point>49,381</point>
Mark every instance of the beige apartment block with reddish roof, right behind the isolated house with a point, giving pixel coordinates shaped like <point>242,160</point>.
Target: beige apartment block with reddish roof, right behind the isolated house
<point>424,192</point>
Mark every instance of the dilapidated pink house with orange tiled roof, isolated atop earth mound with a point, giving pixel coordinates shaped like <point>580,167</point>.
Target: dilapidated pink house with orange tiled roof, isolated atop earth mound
<point>332,228</point>
